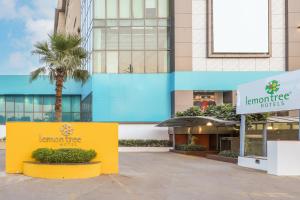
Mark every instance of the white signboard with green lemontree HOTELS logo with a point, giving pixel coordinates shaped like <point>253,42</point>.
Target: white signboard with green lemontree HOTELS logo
<point>273,94</point>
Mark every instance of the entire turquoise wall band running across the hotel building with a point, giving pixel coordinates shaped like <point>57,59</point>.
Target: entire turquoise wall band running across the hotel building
<point>133,97</point>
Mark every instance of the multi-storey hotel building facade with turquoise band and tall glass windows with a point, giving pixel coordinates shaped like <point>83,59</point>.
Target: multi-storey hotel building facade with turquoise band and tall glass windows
<point>149,59</point>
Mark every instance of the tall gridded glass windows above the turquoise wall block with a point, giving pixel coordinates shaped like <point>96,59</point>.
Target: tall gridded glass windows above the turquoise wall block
<point>131,36</point>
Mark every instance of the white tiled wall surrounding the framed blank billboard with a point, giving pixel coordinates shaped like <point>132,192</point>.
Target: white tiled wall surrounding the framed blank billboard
<point>199,38</point>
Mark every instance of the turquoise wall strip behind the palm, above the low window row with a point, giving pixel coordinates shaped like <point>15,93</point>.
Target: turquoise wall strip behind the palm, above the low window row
<point>15,84</point>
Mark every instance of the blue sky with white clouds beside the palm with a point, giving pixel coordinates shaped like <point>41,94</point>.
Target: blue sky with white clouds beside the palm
<point>23,23</point>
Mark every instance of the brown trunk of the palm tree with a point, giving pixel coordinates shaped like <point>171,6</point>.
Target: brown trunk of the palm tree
<point>58,100</point>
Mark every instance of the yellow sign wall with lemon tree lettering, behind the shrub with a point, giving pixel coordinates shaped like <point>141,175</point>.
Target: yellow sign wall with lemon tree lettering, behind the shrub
<point>22,138</point>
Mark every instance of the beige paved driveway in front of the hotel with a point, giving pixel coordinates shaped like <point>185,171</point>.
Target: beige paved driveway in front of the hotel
<point>157,176</point>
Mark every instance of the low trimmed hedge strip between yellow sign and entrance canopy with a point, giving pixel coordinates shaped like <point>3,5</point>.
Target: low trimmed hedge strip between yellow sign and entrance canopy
<point>144,143</point>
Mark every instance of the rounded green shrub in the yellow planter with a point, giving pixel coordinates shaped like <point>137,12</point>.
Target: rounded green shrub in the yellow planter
<point>46,155</point>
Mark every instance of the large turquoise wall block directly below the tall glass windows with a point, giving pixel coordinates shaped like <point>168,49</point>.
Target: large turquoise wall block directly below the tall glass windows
<point>131,97</point>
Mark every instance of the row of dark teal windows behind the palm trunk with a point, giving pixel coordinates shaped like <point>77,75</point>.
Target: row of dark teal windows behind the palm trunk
<point>37,108</point>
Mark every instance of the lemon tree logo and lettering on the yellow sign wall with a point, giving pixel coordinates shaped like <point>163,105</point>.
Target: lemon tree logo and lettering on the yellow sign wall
<point>67,137</point>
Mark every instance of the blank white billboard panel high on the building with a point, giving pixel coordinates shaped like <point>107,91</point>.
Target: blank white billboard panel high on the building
<point>240,26</point>
